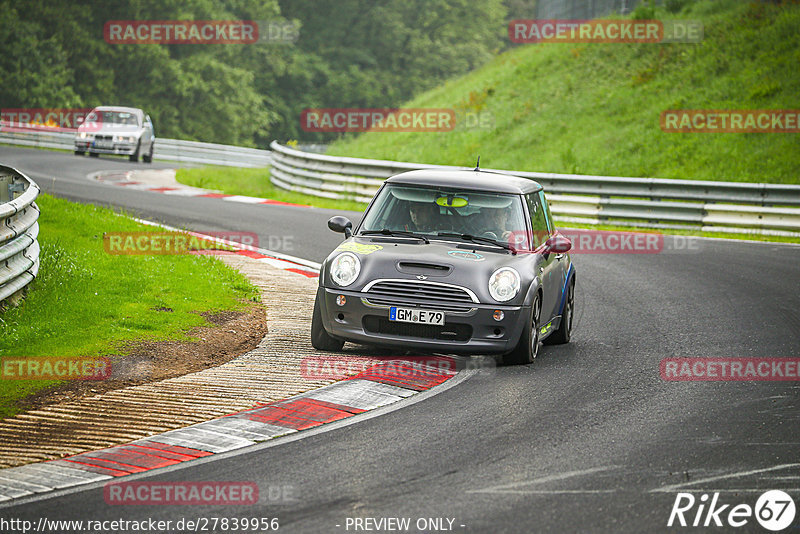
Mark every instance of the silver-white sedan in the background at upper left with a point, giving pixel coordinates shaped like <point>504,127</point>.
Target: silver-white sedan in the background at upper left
<point>116,130</point>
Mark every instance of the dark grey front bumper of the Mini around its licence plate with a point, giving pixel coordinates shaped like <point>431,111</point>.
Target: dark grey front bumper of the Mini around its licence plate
<point>468,328</point>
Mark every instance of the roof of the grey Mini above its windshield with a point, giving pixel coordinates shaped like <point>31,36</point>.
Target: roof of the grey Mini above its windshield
<point>467,179</point>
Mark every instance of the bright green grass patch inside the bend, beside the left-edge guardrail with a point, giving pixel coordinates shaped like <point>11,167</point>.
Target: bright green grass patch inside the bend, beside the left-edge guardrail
<point>87,302</point>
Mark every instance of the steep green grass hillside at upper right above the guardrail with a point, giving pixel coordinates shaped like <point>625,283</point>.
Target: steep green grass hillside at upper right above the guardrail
<point>594,108</point>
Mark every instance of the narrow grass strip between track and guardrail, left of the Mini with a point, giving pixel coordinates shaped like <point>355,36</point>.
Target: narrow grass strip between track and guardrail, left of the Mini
<point>254,183</point>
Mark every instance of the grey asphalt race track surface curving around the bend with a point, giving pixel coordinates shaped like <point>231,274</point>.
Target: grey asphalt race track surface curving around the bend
<point>588,438</point>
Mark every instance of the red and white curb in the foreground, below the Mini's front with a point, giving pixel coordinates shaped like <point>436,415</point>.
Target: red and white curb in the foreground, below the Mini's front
<point>380,385</point>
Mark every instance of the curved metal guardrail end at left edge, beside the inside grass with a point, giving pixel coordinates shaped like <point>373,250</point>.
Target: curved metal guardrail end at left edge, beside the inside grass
<point>19,250</point>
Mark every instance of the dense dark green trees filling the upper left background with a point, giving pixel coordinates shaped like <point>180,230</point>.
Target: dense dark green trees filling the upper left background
<point>358,53</point>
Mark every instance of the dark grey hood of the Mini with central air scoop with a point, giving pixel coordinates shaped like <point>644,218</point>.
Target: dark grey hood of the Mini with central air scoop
<point>449,262</point>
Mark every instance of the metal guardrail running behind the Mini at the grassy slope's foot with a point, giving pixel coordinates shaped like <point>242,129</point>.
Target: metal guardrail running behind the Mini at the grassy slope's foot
<point>643,202</point>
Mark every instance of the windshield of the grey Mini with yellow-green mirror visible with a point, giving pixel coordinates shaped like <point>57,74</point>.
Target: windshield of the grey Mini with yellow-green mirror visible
<point>436,211</point>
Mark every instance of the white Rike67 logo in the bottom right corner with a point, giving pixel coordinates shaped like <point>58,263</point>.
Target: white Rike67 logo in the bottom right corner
<point>774,510</point>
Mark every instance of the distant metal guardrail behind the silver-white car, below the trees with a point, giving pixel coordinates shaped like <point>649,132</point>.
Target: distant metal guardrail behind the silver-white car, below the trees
<point>165,149</point>
